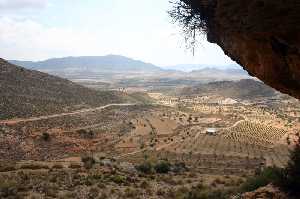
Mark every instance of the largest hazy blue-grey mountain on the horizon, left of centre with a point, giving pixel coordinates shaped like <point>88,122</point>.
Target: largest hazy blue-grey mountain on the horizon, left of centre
<point>109,63</point>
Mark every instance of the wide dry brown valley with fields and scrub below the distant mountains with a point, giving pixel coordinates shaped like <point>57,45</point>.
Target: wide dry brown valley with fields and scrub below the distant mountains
<point>145,140</point>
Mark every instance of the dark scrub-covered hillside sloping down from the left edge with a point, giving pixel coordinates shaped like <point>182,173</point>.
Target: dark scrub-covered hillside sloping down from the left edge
<point>26,93</point>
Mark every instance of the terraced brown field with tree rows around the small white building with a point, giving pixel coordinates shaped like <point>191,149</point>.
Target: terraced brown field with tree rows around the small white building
<point>245,146</point>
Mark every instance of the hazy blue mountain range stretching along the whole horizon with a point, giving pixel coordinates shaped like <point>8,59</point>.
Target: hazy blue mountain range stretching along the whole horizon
<point>114,69</point>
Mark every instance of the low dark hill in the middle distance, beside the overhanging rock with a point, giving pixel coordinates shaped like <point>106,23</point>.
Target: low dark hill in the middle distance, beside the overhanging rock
<point>242,89</point>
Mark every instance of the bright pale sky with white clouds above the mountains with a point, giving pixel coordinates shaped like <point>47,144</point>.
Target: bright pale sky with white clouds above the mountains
<point>140,29</point>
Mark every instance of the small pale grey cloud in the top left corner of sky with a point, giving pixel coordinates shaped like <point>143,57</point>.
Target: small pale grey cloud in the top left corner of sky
<point>22,4</point>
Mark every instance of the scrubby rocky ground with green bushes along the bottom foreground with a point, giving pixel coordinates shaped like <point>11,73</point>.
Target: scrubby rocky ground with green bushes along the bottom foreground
<point>106,178</point>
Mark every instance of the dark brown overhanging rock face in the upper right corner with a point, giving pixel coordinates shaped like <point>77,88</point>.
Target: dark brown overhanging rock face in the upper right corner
<point>261,35</point>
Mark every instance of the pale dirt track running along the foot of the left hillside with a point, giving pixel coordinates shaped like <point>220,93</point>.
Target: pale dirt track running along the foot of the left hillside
<point>16,121</point>
